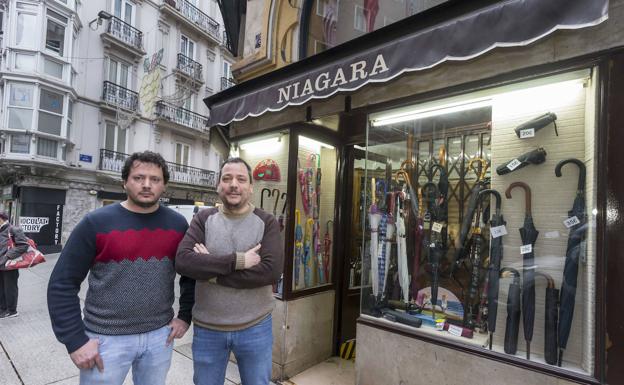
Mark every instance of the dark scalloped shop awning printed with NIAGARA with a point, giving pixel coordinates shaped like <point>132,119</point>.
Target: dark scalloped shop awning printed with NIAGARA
<point>502,24</point>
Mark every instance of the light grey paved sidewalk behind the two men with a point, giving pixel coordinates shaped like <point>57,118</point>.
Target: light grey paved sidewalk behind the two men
<point>30,354</point>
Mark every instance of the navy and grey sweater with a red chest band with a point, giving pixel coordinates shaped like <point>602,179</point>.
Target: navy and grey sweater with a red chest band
<point>130,261</point>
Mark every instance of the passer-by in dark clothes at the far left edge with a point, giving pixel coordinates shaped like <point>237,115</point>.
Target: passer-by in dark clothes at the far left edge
<point>8,278</point>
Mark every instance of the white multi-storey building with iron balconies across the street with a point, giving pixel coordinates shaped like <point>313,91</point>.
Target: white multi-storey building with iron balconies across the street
<point>84,83</point>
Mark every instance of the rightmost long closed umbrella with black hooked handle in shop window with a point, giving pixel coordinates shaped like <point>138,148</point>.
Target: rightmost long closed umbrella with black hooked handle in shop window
<point>573,252</point>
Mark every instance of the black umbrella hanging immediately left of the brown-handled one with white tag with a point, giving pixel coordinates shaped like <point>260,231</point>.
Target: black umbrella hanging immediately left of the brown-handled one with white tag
<point>496,256</point>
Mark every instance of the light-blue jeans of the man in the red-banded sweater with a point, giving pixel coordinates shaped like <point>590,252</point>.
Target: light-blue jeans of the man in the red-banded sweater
<point>147,354</point>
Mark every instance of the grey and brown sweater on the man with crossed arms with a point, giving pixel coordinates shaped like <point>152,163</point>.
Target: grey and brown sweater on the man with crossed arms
<point>227,296</point>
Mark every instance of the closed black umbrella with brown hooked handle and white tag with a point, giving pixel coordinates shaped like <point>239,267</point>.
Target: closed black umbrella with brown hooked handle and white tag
<point>528,233</point>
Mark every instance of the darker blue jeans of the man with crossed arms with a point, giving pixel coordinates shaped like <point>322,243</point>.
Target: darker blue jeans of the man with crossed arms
<point>252,347</point>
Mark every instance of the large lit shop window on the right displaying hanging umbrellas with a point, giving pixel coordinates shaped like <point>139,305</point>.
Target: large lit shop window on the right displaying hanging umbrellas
<point>453,262</point>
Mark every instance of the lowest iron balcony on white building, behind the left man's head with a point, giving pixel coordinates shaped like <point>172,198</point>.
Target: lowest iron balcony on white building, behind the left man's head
<point>113,161</point>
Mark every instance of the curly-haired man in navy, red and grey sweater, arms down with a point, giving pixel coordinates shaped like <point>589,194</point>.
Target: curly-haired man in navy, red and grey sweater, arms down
<point>128,251</point>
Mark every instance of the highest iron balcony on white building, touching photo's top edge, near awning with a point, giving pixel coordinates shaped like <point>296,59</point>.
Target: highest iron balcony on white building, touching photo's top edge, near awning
<point>193,18</point>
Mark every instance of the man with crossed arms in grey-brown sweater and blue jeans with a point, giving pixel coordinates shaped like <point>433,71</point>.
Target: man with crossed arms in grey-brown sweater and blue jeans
<point>235,253</point>
